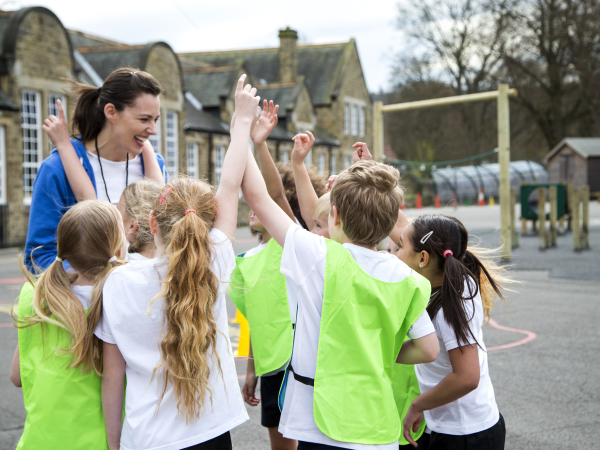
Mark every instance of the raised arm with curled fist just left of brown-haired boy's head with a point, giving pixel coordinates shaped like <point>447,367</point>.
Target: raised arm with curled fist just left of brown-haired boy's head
<point>307,197</point>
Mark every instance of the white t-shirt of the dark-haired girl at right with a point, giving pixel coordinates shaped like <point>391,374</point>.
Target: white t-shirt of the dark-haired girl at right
<point>476,411</point>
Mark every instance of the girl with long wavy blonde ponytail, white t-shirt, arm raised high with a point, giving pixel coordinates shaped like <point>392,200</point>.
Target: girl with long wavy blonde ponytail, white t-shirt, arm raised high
<point>164,321</point>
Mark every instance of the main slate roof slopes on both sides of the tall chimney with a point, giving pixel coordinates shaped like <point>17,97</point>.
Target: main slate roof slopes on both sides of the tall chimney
<point>321,66</point>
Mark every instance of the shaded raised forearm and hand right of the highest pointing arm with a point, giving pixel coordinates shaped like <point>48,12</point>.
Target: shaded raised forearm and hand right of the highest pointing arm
<point>259,135</point>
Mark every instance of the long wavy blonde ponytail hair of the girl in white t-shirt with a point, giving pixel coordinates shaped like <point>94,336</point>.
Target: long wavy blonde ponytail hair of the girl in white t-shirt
<point>185,215</point>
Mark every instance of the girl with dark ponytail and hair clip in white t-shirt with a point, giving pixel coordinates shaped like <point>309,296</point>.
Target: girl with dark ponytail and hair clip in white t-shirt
<point>457,396</point>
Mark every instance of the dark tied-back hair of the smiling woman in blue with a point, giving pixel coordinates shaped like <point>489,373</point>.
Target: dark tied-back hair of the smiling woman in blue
<point>121,88</point>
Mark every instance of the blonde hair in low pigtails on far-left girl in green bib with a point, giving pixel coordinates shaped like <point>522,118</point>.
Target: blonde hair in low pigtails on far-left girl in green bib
<point>88,236</point>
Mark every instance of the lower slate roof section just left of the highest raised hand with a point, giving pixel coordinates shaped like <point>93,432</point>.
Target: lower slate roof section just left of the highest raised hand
<point>209,84</point>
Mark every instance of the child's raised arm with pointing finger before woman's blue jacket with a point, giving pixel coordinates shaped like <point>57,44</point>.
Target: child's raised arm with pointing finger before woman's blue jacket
<point>57,130</point>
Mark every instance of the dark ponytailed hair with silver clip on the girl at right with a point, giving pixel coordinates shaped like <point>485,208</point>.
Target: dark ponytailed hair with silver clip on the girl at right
<point>464,275</point>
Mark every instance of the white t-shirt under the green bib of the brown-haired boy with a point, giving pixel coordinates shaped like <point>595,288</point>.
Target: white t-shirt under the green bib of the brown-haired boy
<point>303,261</point>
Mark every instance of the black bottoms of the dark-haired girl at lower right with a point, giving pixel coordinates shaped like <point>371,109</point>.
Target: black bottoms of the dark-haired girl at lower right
<point>490,439</point>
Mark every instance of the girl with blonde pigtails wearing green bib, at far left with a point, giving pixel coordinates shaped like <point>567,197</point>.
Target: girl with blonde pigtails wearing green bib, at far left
<point>54,359</point>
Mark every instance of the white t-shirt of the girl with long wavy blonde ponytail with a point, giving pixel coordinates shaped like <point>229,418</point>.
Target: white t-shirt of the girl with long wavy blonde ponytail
<point>127,294</point>
